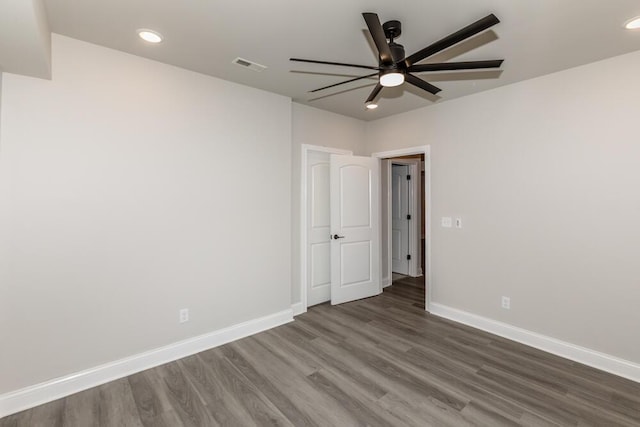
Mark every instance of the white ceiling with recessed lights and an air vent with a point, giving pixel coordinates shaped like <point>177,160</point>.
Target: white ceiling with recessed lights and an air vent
<point>535,37</point>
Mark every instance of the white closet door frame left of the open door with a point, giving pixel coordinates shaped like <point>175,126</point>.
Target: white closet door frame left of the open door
<point>305,150</point>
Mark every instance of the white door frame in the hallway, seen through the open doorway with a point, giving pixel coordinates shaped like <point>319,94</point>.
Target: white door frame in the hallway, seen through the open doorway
<point>414,208</point>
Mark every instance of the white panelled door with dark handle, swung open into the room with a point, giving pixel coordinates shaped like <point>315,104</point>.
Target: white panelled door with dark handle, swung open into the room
<point>355,243</point>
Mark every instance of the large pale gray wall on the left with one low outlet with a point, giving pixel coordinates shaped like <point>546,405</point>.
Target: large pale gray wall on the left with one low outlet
<point>130,189</point>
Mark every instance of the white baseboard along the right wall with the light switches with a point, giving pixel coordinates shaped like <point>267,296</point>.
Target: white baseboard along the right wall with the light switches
<point>602,361</point>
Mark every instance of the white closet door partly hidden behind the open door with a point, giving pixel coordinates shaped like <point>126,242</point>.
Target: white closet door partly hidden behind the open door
<point>318,229</point>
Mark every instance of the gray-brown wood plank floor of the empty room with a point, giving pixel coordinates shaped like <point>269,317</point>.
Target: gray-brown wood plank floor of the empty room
<point>379,362</point>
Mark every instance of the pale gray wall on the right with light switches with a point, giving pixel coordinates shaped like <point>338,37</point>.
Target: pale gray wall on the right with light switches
<point>546,176</point>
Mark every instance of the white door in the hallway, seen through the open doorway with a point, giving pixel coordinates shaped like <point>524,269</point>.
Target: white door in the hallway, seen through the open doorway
<point>399,219</point>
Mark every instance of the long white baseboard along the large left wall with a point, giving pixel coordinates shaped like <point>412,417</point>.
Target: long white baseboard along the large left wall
<point>48,391</point>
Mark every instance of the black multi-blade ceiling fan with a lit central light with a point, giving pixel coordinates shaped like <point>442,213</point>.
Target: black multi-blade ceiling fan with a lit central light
<point>394,68</point>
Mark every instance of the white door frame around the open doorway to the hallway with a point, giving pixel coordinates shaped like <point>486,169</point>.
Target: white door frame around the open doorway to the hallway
<point>426,150</point>
